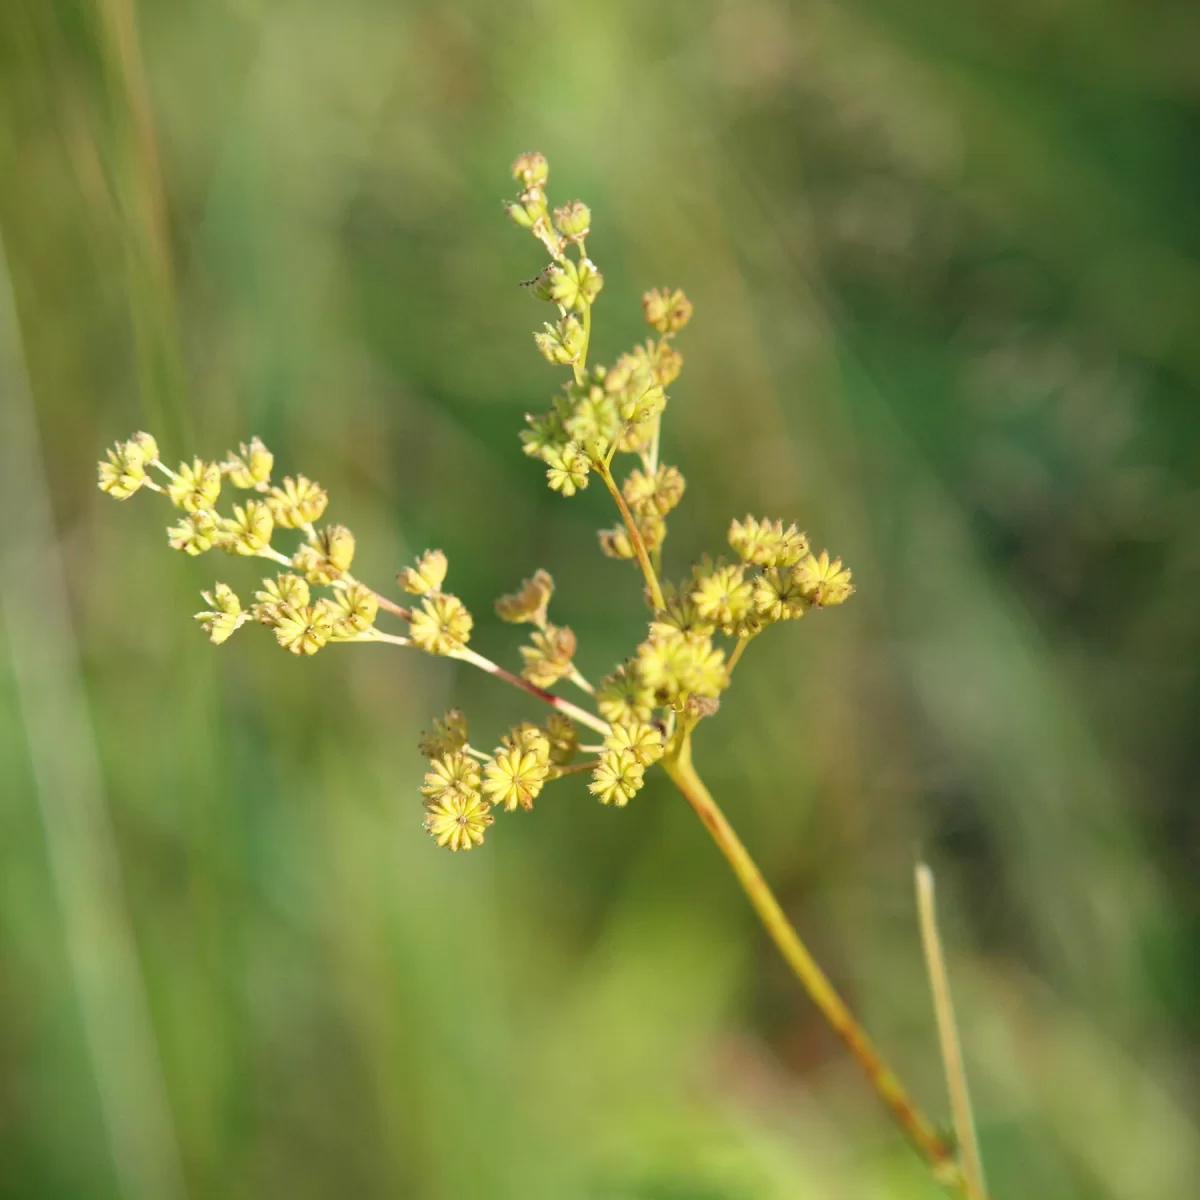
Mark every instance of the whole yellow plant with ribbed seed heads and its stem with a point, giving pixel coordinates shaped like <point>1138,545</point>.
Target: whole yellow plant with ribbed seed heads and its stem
<point>647,711</point>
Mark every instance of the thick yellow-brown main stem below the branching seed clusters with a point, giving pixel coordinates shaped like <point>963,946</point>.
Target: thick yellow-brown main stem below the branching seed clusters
<point>891,1091</point>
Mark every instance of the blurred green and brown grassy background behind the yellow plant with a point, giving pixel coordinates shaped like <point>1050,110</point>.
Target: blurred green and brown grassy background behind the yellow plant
<point>945,263</point>
